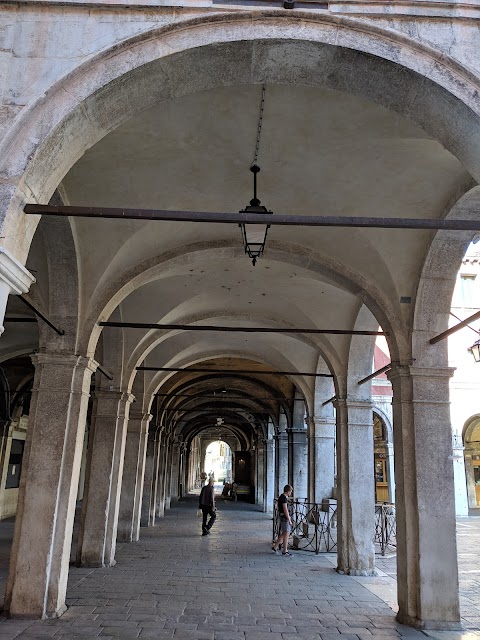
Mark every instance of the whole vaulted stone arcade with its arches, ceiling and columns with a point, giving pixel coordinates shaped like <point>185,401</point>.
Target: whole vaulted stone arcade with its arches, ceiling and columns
<point>150,106</point>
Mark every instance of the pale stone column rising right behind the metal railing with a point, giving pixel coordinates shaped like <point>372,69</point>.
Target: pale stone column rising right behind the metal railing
<point>321,457</point>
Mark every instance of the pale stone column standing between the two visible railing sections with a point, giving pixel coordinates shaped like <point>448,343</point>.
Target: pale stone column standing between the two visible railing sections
<point>356,490</point>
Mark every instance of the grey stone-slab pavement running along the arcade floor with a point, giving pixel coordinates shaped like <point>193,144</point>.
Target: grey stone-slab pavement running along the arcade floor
<point>176,584</point>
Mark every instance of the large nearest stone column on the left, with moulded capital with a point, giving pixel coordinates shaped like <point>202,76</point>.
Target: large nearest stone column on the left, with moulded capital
<point>40,553</point>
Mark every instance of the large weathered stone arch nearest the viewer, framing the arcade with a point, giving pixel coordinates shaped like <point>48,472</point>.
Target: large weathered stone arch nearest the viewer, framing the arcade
<point>83,107</point>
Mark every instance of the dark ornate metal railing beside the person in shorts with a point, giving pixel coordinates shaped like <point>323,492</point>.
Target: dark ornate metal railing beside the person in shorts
<point>314,526</point>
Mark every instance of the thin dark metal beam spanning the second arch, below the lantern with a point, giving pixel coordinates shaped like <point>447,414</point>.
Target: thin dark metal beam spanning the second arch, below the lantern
<point>203,327</point>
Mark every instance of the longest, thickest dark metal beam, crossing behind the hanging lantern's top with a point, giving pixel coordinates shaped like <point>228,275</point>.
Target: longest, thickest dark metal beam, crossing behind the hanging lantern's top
<point>252,218</point>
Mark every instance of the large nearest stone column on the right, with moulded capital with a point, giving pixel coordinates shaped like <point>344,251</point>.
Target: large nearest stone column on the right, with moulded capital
<point>425,499</point>
